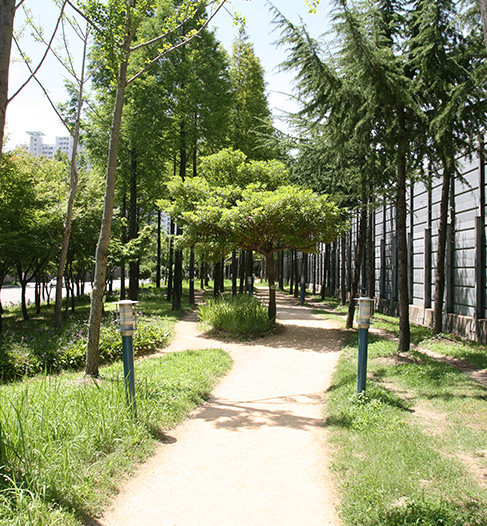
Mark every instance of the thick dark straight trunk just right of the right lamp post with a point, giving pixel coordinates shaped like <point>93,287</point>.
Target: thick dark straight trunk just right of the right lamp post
<point>402,247</point>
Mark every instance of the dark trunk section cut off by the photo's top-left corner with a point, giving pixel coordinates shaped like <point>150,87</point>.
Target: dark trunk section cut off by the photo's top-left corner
<point>7,14</point>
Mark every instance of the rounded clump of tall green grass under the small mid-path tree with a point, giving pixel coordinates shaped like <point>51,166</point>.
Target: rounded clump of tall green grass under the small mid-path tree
<point>236,315</point>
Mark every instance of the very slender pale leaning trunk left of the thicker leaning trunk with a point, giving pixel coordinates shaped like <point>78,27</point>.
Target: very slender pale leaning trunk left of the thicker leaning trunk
<point>73,188</point>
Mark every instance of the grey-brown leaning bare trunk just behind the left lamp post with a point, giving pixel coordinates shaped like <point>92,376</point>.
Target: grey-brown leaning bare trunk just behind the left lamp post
<point>101,255</point>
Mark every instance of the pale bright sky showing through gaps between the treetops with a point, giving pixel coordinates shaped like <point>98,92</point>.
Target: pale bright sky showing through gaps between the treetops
<point>31,111</point>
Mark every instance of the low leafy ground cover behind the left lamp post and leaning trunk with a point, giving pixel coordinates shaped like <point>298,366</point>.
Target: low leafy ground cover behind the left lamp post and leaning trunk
<point>35,346</point>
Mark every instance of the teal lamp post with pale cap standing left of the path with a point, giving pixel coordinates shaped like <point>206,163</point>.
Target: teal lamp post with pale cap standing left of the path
<point>127,322</point>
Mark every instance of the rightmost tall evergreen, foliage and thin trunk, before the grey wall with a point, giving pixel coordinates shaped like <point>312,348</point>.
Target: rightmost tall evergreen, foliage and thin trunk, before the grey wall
<point>449,68</point>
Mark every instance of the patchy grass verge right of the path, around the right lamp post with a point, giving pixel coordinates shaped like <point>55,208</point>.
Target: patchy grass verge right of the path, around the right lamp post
<point>412,450</point>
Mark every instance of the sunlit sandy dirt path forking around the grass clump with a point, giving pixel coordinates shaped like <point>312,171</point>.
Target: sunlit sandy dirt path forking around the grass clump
<point>255,453</point>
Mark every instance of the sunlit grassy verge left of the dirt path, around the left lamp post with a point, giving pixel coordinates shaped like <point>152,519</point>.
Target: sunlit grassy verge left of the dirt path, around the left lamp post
<point>65,441</point>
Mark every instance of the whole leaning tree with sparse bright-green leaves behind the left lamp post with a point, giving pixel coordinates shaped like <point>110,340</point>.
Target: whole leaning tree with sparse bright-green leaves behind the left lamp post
<point>115,29</point>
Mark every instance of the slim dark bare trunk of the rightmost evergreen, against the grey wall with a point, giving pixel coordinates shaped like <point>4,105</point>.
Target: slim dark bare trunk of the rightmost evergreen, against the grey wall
<point>440,256</point>
